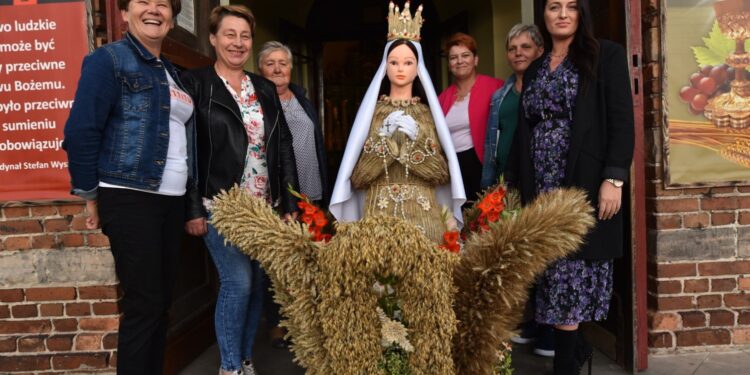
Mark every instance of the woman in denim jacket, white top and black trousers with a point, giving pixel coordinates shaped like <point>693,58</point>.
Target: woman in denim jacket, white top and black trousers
<point>129,140</point>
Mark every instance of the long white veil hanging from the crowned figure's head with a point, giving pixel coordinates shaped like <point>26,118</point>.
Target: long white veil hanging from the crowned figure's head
<point>346,202</point>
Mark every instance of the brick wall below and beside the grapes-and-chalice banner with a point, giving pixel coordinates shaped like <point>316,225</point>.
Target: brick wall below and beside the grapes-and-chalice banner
<point>699,239</point>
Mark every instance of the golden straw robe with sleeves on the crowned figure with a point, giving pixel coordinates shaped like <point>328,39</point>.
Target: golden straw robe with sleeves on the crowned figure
<point>399,175</point>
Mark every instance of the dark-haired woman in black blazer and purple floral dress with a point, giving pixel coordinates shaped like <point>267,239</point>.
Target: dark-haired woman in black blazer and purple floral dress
<point>576,129</point>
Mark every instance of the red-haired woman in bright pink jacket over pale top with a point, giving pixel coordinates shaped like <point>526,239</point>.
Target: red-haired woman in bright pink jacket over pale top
<point>466,105</point>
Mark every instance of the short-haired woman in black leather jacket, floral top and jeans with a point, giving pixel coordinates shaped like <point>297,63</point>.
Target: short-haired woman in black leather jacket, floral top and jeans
<point>243,139</point>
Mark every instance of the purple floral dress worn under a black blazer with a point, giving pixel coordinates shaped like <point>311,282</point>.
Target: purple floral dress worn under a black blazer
<point>570,291</point>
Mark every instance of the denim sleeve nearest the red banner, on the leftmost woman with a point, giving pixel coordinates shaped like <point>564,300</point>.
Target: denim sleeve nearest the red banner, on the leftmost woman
<point>95,97</point>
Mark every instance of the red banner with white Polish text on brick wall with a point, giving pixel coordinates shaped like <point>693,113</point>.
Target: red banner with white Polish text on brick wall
<point>42,44</point>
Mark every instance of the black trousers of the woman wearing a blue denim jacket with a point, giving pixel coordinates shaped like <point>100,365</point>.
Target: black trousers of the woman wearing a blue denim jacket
<point>145,233</point>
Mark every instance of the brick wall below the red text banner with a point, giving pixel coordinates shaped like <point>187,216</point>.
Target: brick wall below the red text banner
<point>58,294</point>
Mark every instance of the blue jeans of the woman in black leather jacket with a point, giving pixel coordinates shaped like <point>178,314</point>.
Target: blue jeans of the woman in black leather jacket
<point>240,302</point>
